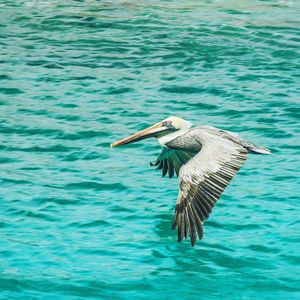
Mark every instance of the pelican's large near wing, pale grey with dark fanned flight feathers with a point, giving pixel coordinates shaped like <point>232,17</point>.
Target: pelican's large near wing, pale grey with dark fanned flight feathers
<point>202,181</point>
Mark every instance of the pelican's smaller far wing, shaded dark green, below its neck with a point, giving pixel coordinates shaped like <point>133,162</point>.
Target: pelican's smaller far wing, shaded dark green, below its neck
<point>171,160</point>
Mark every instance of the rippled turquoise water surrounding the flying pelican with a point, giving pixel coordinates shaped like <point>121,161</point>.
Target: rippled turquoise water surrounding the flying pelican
<point>82,221</point>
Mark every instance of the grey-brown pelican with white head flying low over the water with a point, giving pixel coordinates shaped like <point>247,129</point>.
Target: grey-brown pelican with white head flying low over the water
<point>204,158</point>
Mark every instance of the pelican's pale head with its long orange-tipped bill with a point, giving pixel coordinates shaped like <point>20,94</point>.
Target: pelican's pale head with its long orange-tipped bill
<point>157,130</point>
